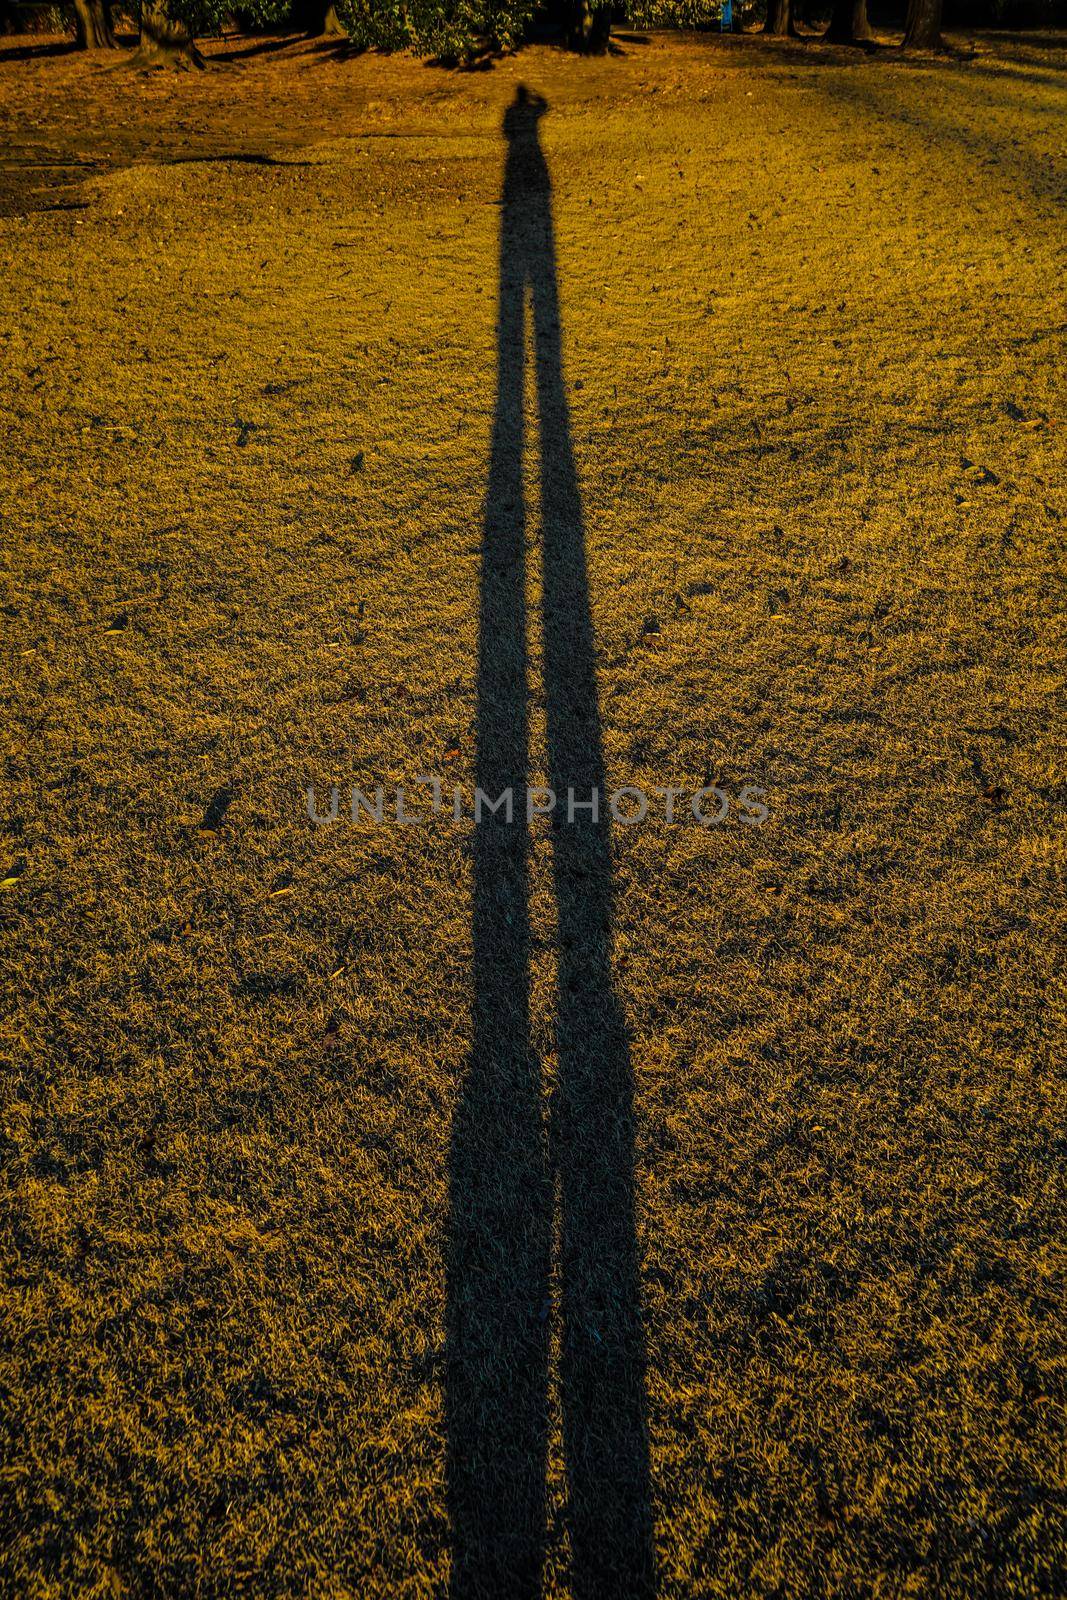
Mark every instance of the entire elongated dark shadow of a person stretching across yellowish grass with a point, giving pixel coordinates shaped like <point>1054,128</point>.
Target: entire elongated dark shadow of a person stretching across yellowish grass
<point>511,1158</point>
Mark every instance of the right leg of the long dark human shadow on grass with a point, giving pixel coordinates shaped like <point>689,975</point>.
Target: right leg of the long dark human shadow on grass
<point>602,1375</point>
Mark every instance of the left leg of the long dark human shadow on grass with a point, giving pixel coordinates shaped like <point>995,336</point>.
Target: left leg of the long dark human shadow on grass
<point>500,1185</point>
